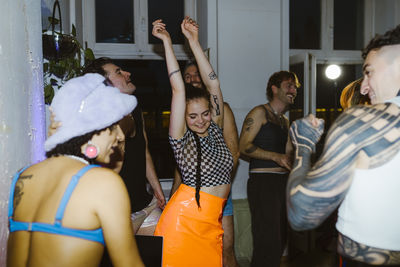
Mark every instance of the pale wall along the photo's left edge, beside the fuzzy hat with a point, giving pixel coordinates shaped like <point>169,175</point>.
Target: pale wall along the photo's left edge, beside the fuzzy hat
<point>21,97</point>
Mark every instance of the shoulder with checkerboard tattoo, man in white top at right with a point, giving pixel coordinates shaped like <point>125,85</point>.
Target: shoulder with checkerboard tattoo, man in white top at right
<point>372,132</point>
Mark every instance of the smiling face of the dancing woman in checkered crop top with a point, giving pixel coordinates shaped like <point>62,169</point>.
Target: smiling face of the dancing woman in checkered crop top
<point>198,116</point>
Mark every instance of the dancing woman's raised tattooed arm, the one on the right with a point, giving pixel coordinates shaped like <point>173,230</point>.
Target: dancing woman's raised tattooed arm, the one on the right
<point>190,30</point>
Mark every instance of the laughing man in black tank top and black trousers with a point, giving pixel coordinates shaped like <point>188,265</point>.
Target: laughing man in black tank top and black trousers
<point>264,140</point>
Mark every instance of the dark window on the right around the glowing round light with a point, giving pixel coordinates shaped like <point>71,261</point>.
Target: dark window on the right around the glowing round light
<point>328,32</point>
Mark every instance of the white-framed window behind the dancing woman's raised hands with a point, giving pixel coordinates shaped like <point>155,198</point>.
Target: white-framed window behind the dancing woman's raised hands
<point>122,29</point>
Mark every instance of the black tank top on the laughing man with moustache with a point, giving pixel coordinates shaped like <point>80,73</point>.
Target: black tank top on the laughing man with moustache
<point>271,137</point>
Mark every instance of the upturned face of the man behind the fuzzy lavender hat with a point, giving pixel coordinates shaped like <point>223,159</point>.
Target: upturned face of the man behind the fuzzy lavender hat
<point>120,79</point>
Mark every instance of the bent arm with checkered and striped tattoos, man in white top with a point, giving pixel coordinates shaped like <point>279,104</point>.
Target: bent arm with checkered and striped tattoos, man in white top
<point>366,137</point>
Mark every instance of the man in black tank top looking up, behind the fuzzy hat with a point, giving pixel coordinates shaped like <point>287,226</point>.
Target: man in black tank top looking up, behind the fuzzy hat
<point>138,164</point>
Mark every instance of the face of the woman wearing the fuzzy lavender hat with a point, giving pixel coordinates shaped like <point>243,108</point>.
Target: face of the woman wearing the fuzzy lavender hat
<point>107,141</point>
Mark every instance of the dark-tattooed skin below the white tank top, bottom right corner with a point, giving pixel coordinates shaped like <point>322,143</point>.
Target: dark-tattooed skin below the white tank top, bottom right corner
<point>359,252</point>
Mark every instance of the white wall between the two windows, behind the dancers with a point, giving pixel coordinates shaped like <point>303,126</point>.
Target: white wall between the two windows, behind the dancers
<point>249,51</point>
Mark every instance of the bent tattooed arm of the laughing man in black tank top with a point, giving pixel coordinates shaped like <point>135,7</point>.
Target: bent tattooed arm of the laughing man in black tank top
<point>251,126</point>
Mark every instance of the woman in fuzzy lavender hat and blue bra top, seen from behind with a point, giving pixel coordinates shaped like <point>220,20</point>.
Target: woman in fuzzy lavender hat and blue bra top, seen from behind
<point>64,210</point>
